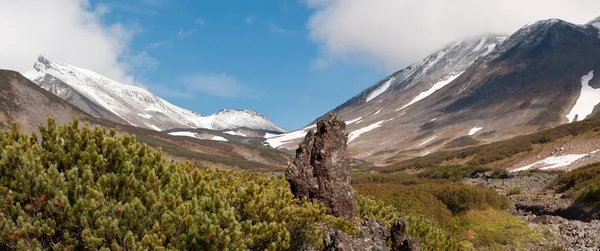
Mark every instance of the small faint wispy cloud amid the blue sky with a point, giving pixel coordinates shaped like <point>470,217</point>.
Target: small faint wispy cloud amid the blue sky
<point>221,85</point>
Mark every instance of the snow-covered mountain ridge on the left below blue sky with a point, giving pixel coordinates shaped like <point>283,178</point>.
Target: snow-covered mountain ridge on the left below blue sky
<point>105,98</point>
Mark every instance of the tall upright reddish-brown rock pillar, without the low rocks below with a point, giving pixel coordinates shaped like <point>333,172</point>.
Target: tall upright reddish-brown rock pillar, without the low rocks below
<point>321,170</point>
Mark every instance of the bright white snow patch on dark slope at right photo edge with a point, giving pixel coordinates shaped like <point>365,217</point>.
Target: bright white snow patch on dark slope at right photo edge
<point>588,99</point>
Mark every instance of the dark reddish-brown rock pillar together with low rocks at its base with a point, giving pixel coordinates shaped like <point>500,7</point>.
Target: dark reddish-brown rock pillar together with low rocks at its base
<point>321,172</point>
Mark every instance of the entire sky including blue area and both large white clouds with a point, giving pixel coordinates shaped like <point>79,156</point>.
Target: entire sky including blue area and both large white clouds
<point>292,60</point>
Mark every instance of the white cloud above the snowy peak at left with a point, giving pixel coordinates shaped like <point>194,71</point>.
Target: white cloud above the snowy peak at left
<point>68,30</point>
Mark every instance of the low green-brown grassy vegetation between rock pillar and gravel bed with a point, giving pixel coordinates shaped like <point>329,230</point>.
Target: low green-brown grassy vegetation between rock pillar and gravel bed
<point>474,217</point>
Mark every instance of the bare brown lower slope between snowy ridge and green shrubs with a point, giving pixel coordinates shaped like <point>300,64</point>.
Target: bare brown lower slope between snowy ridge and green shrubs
<point>25,103</point>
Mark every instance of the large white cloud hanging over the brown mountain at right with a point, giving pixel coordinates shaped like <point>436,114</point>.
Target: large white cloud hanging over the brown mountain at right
<point>397,33</point>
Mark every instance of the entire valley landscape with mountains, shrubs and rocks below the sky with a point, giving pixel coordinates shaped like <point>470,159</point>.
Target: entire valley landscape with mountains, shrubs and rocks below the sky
<point>489,143</point>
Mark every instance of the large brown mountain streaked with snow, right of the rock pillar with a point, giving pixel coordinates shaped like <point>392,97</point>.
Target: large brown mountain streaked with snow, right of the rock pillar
<point>475,91</point>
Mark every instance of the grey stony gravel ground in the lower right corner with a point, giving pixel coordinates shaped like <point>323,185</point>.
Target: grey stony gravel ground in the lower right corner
<point>548,212</point>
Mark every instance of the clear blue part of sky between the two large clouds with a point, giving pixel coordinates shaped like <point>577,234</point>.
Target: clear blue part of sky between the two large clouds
<point>208,55</point>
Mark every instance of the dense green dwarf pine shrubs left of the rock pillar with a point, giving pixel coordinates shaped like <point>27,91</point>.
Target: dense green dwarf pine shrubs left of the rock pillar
<point>83,188</point>
